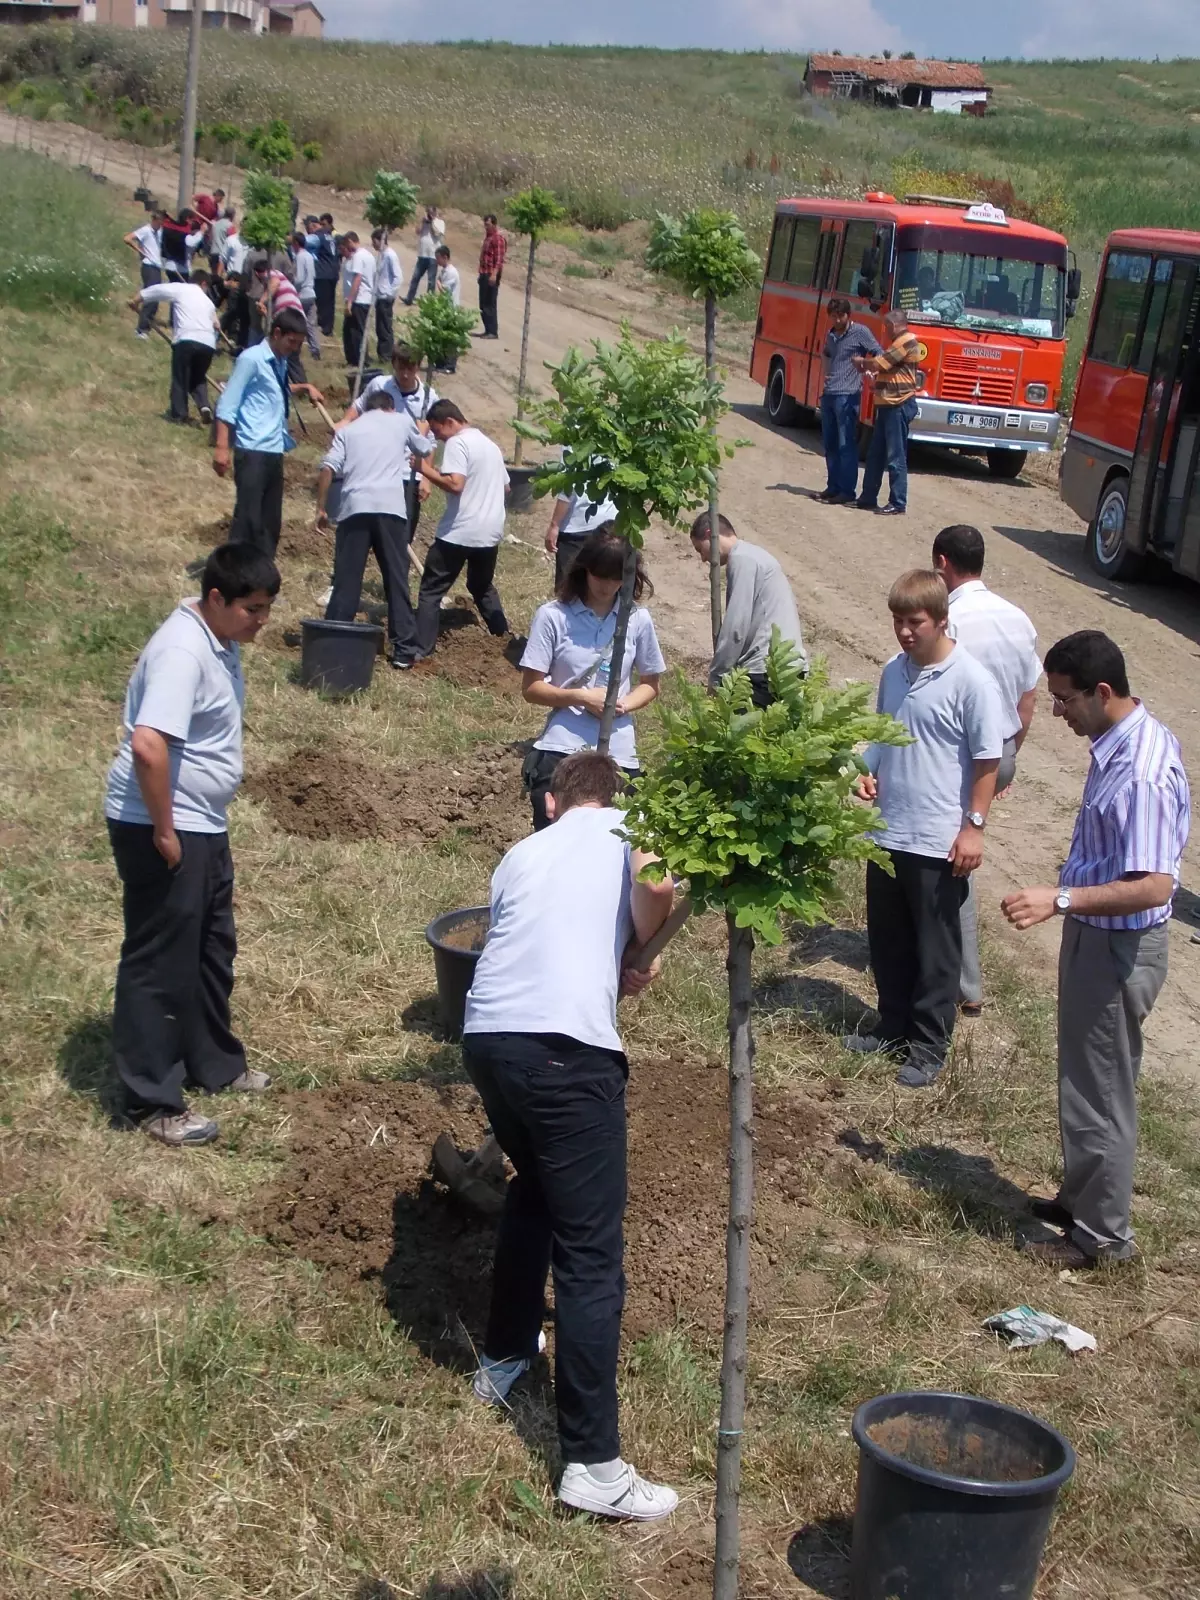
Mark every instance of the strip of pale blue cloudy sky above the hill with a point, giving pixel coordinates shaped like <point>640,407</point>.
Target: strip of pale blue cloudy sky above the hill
<point>1018,28</point>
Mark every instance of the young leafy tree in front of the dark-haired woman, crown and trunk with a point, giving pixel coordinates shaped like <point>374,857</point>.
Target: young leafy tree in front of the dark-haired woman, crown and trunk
<point>638,426</point>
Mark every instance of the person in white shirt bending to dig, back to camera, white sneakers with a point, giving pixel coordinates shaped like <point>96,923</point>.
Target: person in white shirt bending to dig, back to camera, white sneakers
<point>542,1047</point>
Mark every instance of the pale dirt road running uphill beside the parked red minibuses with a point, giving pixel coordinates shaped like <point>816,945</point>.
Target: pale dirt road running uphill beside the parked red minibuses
<point>842,564</point>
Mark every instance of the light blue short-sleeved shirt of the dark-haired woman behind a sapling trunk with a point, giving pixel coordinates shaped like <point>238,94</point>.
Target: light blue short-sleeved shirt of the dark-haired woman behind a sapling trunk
<point>572,647</point>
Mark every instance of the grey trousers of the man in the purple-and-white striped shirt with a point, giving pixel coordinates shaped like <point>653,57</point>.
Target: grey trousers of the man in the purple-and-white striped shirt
<point>1108,982</point>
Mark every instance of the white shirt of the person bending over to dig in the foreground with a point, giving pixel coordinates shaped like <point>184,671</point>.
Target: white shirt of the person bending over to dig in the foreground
<point>561,922</point>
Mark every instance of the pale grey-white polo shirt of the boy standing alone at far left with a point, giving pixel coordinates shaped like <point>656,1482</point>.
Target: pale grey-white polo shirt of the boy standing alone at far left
<point>188,687</point>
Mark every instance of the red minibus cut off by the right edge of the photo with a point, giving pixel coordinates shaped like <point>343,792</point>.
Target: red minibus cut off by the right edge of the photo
<point>1130,462</point>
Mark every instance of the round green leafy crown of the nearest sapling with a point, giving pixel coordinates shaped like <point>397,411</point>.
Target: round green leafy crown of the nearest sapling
<point>754,807</point>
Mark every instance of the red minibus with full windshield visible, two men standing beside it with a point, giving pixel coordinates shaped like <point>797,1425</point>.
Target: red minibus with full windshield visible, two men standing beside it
<point>986,295</point>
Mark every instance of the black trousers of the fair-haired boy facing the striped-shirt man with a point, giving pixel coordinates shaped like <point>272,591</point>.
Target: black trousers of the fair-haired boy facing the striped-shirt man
<point>916,953</point>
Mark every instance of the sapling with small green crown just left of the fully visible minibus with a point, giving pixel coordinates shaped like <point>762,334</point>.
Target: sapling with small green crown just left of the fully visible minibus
<point>708,255</point>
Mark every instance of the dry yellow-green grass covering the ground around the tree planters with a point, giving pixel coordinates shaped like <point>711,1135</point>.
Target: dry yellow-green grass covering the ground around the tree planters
<point>190,1410</point>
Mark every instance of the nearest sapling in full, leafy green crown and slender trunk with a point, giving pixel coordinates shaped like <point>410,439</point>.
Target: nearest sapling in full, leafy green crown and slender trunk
<point>756,810</point>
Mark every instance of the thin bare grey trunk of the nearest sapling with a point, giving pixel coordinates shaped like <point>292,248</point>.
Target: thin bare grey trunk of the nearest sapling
<point>737,1263</point>
